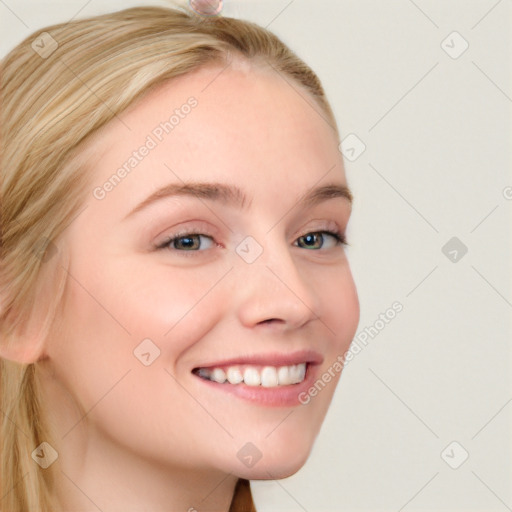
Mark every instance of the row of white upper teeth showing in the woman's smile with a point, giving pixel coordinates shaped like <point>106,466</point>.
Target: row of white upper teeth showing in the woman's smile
<point>268,376</point>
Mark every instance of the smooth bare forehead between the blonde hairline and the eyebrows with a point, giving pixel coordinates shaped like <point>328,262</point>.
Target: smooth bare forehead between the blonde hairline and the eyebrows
<point>248,126</point>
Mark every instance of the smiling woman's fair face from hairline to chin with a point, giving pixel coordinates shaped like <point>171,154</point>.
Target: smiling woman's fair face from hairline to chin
<point>251,283</point>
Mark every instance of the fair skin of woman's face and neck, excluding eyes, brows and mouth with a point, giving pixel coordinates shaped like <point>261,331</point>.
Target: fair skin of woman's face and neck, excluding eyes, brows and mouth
<point>134,437</point>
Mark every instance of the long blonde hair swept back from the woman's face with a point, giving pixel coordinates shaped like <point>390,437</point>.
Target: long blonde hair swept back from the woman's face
<point>58,87</point>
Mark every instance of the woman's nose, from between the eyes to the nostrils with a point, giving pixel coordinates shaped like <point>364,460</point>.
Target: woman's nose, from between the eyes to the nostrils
<point>272,291</point>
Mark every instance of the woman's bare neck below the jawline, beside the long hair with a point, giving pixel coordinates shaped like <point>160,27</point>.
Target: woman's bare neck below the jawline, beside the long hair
<point>112,480</point>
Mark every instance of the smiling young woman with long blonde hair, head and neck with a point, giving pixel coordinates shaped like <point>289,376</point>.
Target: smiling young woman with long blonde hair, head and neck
<point>175,296</point>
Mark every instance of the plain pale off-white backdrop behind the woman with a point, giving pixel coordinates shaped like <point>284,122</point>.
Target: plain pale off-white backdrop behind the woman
<point>422,90</point>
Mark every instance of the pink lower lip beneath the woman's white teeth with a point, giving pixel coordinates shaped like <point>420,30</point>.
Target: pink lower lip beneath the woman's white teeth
<point>280,396</point>
